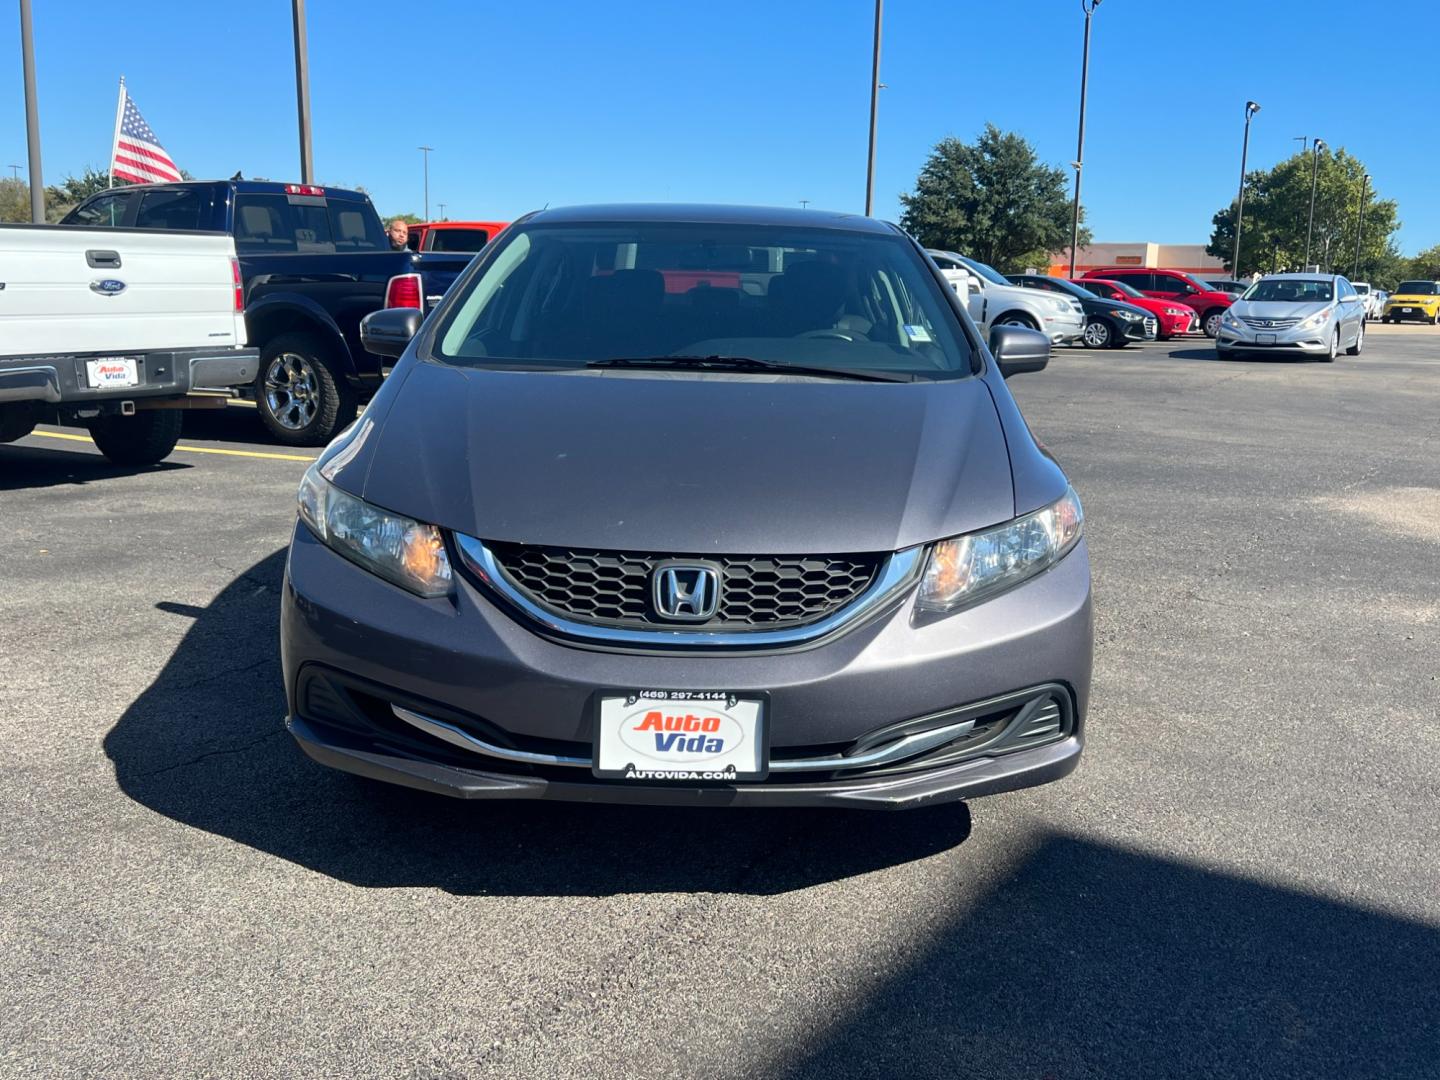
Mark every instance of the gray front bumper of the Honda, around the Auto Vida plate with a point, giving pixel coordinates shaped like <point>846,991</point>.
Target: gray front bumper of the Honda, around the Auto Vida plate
<point>477,667</point>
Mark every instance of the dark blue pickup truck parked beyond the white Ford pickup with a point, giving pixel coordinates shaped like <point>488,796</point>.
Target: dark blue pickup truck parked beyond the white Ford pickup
<point>313,263</point>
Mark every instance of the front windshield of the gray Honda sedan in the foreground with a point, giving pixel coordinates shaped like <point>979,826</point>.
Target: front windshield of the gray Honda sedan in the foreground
<point>577,294</point>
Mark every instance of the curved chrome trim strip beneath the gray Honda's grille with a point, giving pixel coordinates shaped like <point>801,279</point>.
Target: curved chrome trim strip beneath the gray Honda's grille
<point>896,574</point>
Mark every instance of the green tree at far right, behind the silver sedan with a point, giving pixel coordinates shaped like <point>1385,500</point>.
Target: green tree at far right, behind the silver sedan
<point>1278,205</point>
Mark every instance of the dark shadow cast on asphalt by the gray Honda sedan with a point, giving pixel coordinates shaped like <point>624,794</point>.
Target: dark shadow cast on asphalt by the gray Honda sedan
<point>205,745</point>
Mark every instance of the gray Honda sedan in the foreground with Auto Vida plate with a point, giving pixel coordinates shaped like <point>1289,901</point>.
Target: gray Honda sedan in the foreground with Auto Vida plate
<point>693,506</point>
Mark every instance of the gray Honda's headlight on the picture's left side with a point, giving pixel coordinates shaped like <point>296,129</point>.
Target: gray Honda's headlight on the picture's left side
<point>402,551</point>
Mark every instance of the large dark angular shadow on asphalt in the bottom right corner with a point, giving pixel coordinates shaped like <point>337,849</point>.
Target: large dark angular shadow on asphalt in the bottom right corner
<point>1092,961</point>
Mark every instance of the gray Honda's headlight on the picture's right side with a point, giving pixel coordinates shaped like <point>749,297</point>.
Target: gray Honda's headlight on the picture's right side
<point>980,565</point>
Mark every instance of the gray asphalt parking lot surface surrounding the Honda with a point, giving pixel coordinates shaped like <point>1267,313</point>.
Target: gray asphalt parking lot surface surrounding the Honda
<point>1242,881</point>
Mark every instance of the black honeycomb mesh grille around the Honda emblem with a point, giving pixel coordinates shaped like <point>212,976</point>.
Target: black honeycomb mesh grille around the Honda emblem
<point>614,588</point>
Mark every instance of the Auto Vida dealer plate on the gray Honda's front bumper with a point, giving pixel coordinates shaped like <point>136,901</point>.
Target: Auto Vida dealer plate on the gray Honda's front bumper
<point>680,735</point>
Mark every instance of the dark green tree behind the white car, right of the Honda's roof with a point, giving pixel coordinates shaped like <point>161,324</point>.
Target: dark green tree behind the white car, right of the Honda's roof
<point>993,201</point>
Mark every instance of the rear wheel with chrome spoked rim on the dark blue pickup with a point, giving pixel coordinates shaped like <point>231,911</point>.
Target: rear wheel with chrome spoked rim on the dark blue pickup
<point>300,392</point>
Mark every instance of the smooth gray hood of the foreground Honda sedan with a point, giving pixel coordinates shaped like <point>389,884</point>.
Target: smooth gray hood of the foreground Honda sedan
<point>689,463</point>
